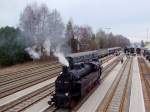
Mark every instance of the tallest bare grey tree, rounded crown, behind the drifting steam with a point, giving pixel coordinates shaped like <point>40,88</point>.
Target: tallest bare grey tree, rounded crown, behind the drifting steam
<point>41,27</point>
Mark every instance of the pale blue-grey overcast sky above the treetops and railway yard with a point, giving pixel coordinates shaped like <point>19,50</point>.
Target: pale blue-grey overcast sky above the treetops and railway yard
<point>130,18</point>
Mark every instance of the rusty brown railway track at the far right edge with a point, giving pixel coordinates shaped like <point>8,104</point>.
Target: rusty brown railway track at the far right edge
<point>145,79</point>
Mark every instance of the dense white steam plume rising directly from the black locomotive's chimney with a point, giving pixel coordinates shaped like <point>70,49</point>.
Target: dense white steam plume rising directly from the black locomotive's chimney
<point>61,57</point>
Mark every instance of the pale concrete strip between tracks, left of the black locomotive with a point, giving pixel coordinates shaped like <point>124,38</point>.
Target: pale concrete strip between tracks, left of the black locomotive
<point>24,92</point>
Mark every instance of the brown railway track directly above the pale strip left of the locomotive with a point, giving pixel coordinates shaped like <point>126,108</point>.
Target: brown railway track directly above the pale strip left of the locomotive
<point>5,91</point>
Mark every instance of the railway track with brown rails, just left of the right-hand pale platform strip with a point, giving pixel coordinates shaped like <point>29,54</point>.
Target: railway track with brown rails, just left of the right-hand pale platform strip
<point>116,98</point>
